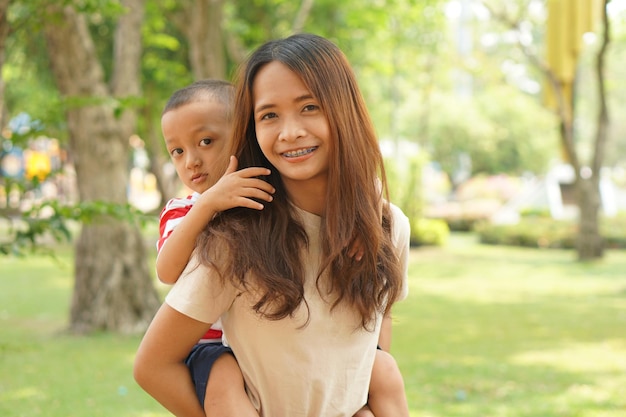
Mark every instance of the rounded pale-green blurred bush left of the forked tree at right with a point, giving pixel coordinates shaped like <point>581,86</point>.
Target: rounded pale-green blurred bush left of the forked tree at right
<point>501,130</point>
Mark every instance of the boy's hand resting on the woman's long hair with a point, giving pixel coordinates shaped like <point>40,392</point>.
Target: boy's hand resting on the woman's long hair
<point>239,189</point>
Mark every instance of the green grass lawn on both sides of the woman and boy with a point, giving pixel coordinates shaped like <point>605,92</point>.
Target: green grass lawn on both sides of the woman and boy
<point>486,332</point>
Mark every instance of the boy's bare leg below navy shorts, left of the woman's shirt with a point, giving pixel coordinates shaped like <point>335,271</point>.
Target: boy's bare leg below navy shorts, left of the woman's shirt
<point>225,392</point>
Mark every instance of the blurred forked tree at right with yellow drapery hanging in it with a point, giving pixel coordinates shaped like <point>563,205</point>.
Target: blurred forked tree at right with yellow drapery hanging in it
<point>567,22</point>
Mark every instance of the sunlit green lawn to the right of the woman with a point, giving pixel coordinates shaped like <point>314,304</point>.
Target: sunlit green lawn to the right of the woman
<point>511,332</point>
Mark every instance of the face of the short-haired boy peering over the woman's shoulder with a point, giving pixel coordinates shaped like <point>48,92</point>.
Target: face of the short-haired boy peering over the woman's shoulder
<point>196,136</point>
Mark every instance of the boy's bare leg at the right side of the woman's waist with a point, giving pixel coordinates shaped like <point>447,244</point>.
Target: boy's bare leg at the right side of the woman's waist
<point>387,397</point>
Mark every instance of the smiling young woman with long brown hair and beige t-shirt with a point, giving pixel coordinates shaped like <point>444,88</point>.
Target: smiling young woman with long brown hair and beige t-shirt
<point>301,316</point>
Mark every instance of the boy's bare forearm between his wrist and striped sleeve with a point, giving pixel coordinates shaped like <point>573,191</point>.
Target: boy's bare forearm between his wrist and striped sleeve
<point>175,253</point>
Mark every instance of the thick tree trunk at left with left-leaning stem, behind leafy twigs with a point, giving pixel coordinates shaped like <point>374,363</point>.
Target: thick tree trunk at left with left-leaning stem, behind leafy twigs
<point>113,287</point>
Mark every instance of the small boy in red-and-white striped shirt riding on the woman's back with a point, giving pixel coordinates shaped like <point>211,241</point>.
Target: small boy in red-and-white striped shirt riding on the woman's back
<point>196,125</point>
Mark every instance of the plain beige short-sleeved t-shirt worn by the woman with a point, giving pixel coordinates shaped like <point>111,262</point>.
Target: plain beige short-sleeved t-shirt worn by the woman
<point>291,370</point>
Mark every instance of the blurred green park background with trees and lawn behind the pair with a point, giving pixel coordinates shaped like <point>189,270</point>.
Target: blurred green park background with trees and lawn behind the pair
<point>500,126</point>
